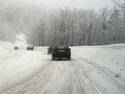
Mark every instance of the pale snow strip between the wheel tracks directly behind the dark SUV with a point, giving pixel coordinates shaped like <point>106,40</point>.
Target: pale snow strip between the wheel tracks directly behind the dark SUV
<point>61,80</point>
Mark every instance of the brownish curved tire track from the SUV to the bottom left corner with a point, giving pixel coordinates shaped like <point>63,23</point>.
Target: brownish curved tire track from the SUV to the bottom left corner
<point>35,84</point>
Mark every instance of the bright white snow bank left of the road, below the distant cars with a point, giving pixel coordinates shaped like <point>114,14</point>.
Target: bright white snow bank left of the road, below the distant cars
<point>17,66</point>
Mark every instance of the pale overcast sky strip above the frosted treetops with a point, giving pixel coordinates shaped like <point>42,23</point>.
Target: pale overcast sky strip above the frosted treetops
<point>84,4</point>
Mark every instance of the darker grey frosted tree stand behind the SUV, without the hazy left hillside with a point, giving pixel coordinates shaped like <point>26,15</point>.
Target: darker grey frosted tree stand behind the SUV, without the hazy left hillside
<point>74,27</point>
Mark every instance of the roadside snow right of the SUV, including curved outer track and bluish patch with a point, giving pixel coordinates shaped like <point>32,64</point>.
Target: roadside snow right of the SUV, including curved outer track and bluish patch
<point>104,66</point>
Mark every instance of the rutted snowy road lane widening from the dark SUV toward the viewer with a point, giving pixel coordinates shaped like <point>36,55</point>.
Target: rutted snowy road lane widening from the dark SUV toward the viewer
<point>58,77</point>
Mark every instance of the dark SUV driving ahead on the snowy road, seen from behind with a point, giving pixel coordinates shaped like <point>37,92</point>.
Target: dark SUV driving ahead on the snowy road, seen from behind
<point>61,53</point>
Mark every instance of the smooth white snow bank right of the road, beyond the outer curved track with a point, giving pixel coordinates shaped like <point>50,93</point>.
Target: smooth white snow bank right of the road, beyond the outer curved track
<point>111,58</point>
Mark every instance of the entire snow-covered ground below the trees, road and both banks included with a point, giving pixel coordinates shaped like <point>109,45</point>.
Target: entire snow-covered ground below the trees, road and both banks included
<point>92,70</point>
